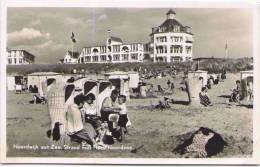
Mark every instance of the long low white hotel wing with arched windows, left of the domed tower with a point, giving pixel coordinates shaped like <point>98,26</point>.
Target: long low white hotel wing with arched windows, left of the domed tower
<point>115,51</point>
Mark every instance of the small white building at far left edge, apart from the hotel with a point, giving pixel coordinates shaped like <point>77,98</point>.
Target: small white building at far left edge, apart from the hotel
<point>19,57</point>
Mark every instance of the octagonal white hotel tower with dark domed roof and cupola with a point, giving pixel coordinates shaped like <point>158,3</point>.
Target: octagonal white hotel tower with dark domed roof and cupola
<point>171,41</point>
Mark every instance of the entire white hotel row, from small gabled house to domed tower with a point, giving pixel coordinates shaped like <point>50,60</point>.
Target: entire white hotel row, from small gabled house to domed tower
<point>170,42</point>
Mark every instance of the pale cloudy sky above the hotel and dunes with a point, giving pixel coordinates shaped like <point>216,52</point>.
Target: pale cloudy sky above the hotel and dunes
<point>45,32</point>
